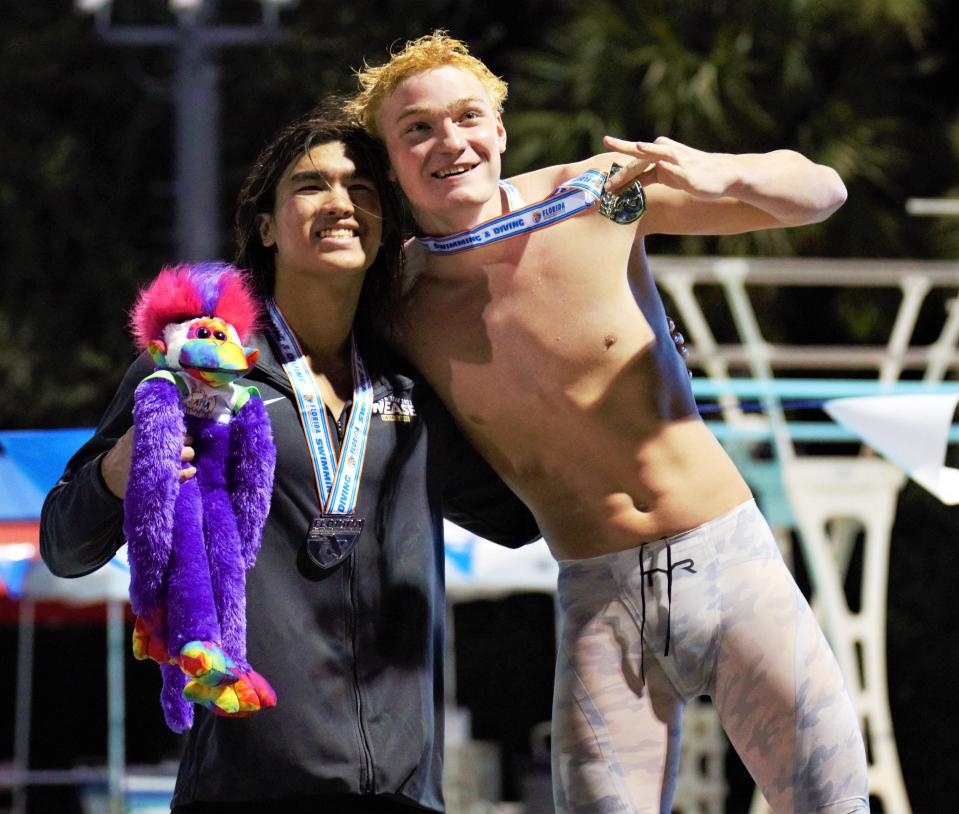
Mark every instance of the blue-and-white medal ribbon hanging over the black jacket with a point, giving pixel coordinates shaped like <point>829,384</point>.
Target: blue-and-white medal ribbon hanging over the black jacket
<point>337,481</point>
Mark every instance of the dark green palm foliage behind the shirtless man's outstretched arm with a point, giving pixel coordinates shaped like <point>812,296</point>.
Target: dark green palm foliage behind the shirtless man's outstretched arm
<point>846,83</point>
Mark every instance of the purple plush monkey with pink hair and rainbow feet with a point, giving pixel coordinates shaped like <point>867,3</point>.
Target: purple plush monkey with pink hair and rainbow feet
<point>190,544</point>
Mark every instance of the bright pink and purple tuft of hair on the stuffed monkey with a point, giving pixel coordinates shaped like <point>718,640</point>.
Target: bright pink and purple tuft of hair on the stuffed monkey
<point>187,291</point>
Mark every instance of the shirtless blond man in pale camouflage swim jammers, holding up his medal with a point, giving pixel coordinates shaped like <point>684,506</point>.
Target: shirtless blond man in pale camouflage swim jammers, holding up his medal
<point>551,349</point>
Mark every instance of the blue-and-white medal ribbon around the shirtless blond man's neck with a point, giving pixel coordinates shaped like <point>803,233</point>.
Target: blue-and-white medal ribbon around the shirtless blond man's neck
<point>568,200</point>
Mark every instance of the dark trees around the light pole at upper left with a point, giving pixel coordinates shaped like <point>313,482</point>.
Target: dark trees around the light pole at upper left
<point>86,165</point>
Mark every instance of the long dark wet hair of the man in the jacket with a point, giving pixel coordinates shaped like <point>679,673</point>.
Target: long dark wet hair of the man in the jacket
<point>322,125</point>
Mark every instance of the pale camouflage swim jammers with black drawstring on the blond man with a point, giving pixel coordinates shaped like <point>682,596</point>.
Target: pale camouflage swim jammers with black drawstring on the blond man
<point>713,611</point>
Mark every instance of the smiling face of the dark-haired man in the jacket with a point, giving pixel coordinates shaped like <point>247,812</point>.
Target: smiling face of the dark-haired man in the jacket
<point>326,218</point>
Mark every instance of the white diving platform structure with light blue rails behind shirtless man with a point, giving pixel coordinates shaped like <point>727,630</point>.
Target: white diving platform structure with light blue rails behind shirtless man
<point>837,506</point>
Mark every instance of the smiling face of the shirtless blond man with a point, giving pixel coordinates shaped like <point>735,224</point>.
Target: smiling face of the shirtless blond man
<point>444,140</point>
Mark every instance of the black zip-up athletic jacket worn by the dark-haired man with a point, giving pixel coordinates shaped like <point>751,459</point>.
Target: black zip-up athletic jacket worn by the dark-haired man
<point>355,655</point>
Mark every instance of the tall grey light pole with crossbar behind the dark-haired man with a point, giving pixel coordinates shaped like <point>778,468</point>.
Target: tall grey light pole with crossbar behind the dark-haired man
<point>196,38</point>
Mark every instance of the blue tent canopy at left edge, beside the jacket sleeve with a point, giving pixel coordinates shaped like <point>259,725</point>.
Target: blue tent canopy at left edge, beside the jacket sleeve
<point>31,462</point>
